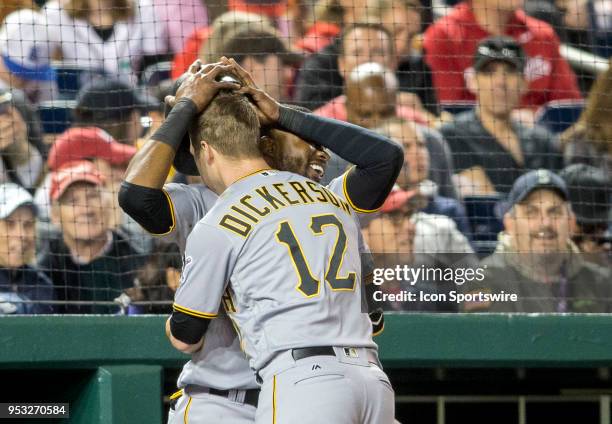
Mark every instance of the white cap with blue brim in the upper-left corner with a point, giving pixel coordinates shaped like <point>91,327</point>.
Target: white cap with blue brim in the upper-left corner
<point>22,55</point>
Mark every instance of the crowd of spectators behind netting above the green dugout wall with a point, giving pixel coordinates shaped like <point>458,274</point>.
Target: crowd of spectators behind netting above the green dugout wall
<point>507,141</point>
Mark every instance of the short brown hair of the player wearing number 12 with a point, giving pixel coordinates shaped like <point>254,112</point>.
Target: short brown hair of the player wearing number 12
<point>229,124</point>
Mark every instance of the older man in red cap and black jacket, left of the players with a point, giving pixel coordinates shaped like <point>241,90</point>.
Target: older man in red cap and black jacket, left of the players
<point>89,261</point>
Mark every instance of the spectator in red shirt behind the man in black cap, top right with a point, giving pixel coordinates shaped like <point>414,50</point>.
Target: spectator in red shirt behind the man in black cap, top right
<point>451,42</point>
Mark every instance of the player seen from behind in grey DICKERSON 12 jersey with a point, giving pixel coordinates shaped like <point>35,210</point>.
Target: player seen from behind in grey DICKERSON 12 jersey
<point>283,251</point>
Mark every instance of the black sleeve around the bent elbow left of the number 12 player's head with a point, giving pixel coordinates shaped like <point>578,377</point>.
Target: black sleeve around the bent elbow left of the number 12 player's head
<point>148,206</point>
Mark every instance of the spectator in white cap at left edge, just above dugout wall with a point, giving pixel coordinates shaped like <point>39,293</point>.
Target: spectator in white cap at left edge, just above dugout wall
<point>21,283</point>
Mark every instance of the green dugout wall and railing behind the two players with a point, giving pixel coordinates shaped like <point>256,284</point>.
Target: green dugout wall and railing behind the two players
<point>445,368</point>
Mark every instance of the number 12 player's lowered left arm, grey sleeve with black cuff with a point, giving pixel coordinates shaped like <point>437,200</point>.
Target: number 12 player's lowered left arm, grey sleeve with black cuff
<point>203,281</point>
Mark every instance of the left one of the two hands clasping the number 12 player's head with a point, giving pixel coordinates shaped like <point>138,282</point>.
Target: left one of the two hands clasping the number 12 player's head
<point>201,84</point>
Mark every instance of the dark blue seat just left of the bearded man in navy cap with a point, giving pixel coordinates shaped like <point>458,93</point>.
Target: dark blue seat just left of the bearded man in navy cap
<point>485,220</point>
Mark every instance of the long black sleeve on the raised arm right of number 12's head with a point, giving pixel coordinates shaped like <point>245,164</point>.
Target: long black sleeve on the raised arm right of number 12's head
<point>378,159</point>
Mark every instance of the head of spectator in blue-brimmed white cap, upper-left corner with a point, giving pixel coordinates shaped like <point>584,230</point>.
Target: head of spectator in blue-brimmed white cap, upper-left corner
<point>25,56</point>
